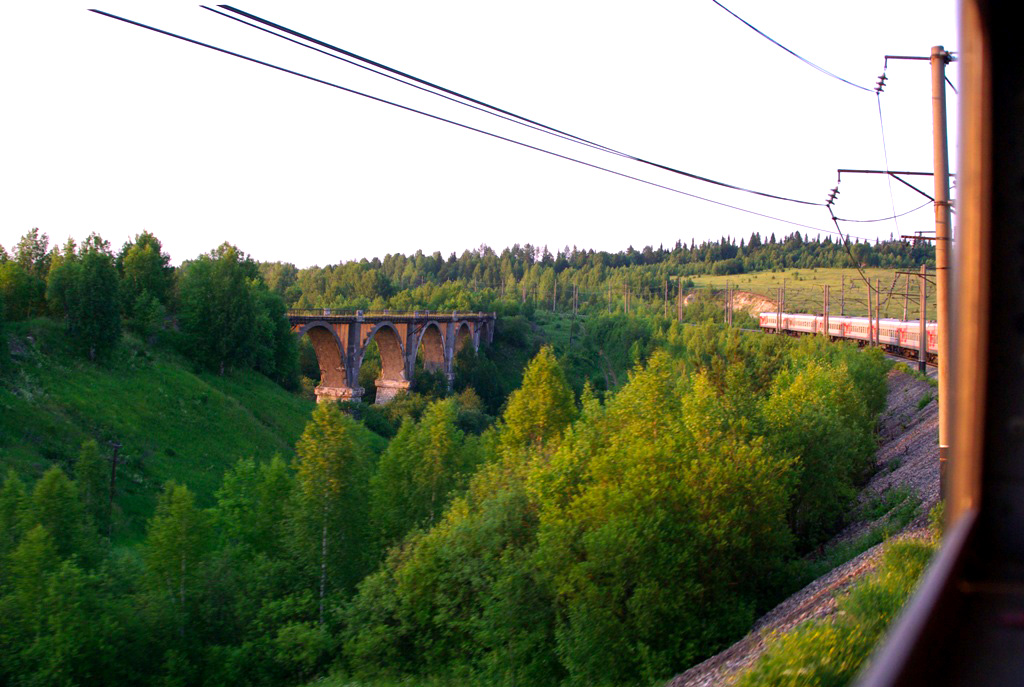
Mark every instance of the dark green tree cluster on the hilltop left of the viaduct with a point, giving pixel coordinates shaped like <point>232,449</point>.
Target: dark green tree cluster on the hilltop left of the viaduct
<point>217,310</point>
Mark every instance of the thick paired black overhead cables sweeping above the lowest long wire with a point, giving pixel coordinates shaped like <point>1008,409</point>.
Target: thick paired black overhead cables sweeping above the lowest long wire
<point>477,104</point>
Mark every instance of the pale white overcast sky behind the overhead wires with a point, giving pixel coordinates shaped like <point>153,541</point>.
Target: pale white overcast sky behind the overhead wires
<point>112,130</point>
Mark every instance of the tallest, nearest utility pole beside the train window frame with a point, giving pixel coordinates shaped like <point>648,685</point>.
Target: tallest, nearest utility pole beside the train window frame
<point>944,237</point>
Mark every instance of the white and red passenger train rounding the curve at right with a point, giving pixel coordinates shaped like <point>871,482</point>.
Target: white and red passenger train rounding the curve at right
<point>897,336</point>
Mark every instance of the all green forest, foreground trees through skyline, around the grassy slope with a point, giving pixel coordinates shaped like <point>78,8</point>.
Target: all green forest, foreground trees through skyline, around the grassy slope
<point>603,499</point>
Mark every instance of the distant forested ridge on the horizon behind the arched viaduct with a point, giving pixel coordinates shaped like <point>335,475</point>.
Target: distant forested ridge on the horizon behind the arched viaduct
<point>486,280</point>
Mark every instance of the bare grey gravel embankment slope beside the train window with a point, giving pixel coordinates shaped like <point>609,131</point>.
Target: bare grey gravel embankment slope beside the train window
<point>908,458</point>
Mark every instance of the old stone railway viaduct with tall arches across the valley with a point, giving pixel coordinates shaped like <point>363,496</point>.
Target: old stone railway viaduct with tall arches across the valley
<point>340,340</point>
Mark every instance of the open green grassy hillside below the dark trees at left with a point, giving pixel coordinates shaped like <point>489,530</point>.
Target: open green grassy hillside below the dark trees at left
<point>173,423</point>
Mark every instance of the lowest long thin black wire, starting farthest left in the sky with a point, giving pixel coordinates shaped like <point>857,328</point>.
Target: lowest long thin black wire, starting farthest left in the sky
<point>458,124</point>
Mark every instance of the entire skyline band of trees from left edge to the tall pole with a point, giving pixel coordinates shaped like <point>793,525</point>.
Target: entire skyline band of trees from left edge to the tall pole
<point>226,311</point>
